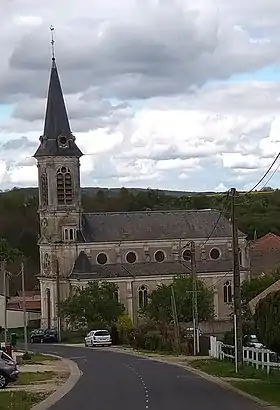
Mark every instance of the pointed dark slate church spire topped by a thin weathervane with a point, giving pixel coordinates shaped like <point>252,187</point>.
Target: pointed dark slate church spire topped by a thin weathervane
<point>57,139</point>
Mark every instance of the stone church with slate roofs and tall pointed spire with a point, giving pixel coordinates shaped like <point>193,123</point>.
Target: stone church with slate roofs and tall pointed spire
<point>135,250</point>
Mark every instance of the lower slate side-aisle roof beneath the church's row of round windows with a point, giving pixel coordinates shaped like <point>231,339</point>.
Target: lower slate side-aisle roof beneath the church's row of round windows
<point>84,270</point>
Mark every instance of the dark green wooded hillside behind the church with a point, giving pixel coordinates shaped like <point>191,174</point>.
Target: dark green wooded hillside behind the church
<point>258,212</point>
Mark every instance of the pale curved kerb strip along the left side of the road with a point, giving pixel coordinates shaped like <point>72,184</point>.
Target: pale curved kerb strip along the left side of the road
<point>75,374</point>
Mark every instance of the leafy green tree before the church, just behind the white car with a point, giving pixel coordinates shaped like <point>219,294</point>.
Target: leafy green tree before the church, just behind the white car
<point>95,305</point>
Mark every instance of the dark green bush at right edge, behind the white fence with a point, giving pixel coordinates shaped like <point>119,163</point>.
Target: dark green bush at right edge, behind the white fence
<point>267,319</point>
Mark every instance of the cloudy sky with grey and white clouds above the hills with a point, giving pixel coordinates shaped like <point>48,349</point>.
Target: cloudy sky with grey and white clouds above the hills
<point>165,94</point>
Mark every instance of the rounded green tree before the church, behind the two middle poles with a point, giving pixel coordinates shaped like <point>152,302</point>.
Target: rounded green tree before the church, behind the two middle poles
<point>159,302</point>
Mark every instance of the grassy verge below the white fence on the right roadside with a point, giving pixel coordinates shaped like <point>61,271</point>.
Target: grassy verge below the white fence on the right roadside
<point>255,382</point>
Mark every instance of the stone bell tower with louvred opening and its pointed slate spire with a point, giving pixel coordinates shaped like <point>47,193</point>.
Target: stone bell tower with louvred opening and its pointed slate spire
<point>58,161</point>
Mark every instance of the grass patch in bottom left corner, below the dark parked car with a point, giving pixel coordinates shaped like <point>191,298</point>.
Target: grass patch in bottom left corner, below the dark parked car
<point>20,400</point>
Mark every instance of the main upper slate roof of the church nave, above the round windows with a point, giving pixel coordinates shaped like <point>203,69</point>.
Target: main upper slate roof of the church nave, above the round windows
<point>155,225</point>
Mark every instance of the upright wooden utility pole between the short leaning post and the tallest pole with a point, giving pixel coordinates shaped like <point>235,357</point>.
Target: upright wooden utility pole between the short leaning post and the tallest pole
<point>196,347</point>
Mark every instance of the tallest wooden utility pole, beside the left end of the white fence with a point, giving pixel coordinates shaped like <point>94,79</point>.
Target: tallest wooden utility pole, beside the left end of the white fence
<point>236,286</point>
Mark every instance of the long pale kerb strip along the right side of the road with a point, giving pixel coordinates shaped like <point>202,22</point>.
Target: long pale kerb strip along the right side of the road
<point>202,374</point>
